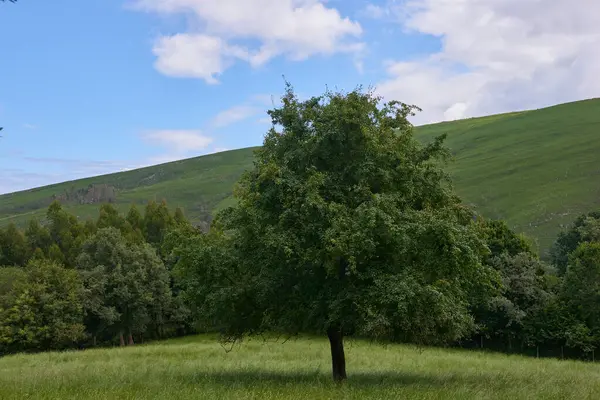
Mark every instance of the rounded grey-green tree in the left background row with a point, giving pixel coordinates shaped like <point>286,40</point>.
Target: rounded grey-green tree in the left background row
<point>127,285</point>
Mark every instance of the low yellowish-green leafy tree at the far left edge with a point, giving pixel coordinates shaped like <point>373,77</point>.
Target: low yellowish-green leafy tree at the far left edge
<point>43,309</point>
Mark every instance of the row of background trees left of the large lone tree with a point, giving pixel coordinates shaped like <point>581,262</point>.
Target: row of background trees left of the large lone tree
<point>67,283</point>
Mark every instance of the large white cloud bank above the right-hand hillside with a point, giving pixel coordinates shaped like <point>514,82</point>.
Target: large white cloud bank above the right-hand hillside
<point>497,56</point>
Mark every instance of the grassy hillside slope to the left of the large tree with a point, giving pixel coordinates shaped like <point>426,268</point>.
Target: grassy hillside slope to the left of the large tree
<point>198,185</point>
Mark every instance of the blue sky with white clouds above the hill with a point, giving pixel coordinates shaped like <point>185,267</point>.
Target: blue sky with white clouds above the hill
<point>98,86</point>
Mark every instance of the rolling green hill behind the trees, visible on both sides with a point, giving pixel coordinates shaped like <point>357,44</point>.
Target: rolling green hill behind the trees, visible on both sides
<point>536,169</point>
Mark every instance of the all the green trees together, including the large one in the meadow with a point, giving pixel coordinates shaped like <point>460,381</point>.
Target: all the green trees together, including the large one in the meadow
<point>345,226</point>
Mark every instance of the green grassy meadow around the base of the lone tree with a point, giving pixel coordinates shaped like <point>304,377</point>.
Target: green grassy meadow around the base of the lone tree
<point>199,368</point>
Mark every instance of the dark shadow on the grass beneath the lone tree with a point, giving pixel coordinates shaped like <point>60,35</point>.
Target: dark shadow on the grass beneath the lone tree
<point>355,380</point>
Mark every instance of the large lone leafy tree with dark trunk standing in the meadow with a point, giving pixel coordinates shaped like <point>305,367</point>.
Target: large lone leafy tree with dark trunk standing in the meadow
<point>346,225</point>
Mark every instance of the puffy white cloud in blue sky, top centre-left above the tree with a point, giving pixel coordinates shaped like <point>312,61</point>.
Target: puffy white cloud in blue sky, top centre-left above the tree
<point>296,28</point>
